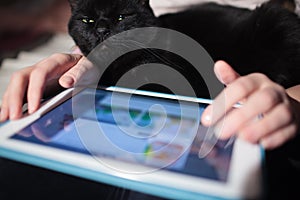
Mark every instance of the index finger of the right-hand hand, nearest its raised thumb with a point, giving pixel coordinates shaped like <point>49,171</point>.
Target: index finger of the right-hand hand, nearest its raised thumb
<point>230,96</point>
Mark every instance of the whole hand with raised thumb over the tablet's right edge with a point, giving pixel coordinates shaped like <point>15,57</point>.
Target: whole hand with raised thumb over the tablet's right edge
<point>268,115</point>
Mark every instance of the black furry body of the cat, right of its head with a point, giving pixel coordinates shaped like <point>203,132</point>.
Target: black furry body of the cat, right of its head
<point>265,40</point>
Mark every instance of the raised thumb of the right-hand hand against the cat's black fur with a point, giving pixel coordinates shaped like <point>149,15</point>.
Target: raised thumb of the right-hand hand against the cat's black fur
<point>225,73</point>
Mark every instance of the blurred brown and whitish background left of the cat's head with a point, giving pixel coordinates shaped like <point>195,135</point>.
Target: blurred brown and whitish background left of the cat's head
<point>31,30</point>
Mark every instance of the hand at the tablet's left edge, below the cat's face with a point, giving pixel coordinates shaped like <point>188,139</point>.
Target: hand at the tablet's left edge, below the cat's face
<point>32,82</point>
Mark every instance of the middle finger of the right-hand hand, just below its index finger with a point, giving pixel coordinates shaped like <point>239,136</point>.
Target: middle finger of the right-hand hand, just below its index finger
<point>260,102</point>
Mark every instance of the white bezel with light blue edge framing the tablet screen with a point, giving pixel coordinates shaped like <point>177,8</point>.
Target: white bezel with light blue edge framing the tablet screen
<point>245,178</point>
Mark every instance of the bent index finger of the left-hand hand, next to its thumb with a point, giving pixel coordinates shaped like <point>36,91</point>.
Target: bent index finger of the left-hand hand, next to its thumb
<point>46,70</point>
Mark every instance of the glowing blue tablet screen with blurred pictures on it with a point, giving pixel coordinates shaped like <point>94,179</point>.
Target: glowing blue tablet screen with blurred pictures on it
<point>141,133</point>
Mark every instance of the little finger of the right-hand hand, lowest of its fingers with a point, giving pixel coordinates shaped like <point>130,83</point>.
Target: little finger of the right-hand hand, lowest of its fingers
<point>278,137</point>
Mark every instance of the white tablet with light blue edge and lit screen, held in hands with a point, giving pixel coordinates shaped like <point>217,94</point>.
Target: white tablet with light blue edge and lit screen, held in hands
<point>144,141</point>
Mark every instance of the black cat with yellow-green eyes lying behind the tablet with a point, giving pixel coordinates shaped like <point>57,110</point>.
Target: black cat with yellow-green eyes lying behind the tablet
<point>265,40</point>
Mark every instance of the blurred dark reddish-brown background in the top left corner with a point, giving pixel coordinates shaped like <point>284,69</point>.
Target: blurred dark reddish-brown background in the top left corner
<point>24,24</point>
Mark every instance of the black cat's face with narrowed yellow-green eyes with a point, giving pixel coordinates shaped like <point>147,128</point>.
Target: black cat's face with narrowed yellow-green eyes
<point>93,21</point>
